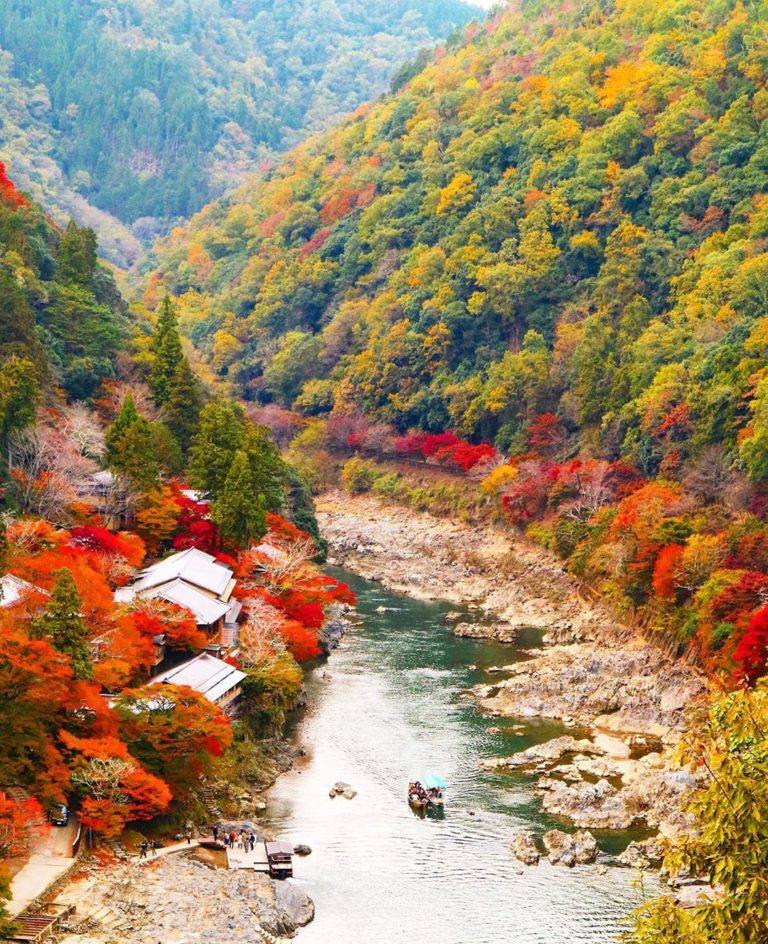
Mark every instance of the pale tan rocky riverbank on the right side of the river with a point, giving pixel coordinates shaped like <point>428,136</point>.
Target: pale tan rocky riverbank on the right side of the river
<point>630,700</point>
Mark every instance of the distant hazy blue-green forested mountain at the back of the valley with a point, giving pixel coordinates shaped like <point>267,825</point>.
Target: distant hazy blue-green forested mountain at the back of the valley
<point>173,103</point>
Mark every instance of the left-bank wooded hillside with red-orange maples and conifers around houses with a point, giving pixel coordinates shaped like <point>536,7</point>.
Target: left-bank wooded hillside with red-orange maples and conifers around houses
<point>112,456</point>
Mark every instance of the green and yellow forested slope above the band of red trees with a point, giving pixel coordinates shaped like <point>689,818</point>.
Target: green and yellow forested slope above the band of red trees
<point>566,214</point>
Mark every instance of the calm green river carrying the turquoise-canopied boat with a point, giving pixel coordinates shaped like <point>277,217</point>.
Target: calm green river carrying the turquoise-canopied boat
<point>387,708</point>
